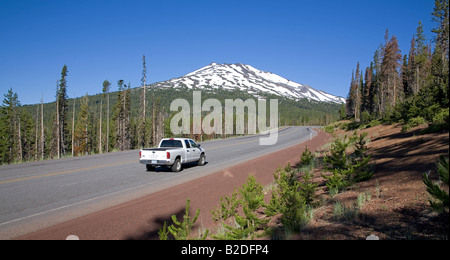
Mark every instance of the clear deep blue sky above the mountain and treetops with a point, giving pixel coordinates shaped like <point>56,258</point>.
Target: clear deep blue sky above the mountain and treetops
<point>317,43</point>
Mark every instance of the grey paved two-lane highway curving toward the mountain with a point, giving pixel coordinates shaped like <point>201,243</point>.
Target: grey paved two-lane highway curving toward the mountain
<point>40,194</point>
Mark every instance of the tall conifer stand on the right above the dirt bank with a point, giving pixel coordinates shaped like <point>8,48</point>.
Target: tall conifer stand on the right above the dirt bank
<point>411,89</point>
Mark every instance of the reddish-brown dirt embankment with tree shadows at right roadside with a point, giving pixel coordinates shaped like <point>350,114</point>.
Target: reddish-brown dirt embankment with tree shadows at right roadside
<point>397,203</point>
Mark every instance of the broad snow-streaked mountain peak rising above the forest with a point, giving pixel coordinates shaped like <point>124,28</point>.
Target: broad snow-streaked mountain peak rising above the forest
<point>247,78</point>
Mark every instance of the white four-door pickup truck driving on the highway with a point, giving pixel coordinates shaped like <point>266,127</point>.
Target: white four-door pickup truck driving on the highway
<point>173,152</point>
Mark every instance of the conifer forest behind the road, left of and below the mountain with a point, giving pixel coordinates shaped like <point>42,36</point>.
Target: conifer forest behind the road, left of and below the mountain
<point>114,120</point>
